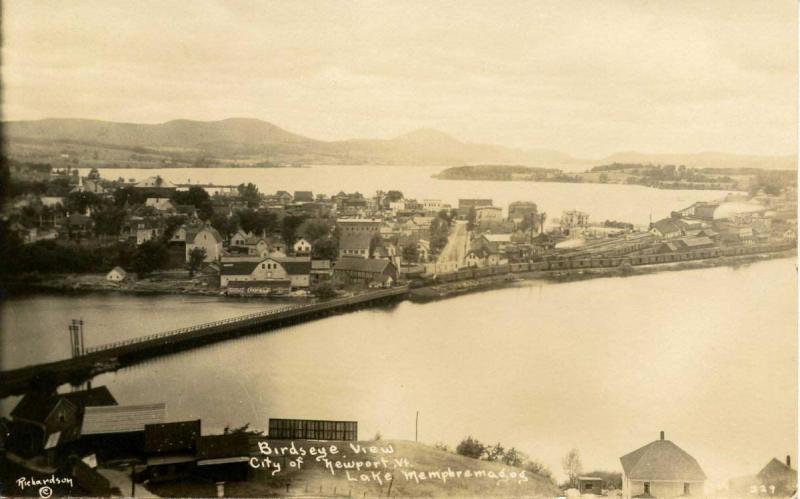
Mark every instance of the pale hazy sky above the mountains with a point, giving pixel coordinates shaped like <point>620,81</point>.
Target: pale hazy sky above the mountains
<point>585,77</point>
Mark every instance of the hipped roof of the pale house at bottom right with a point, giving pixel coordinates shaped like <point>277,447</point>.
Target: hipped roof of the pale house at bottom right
<point>661,460</point>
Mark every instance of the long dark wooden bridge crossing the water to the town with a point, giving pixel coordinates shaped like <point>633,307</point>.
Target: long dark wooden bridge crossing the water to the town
<point>112,356</point>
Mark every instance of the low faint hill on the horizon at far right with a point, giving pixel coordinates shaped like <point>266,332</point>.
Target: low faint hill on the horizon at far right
<point>705,160</point>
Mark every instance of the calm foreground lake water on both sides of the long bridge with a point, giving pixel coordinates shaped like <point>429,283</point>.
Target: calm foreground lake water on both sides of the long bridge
<point>709,356</point>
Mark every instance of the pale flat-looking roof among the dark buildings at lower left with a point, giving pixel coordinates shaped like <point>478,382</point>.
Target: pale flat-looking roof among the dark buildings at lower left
<point>121,418</point>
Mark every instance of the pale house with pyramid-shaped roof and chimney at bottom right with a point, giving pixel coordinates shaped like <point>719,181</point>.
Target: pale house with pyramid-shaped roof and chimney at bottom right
<point>661,469</point>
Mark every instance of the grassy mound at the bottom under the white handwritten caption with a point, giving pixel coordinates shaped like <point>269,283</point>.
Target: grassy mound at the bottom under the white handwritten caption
<point>314,478</point>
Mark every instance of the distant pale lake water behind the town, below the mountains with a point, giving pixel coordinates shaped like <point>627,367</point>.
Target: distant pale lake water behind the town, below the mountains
<point>630,203</point>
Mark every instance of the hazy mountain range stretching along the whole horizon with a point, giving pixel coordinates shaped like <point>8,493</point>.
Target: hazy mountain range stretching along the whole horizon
<point>245,141</point>
